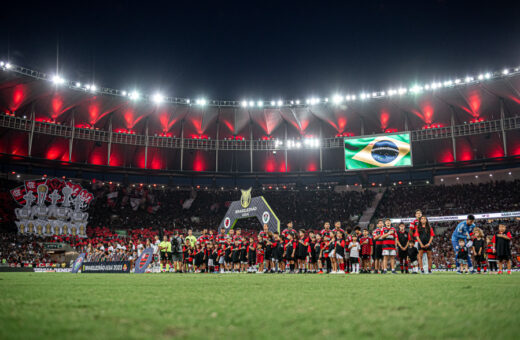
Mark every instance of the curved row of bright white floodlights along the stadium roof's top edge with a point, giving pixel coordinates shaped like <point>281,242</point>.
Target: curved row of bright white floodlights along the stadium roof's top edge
<point>336,99</point>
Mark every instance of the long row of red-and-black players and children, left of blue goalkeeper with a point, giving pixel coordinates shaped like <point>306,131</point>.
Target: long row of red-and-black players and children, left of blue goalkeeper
<point>330,250</point>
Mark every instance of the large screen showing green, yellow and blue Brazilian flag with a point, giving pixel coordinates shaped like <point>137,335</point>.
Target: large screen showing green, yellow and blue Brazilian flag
<point>377,152</point>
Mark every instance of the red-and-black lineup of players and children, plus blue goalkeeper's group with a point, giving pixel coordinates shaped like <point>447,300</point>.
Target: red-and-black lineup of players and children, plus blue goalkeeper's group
<point>334,251</point>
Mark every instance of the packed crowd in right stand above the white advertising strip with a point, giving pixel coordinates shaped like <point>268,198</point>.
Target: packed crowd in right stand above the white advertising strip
<point>454,199</point>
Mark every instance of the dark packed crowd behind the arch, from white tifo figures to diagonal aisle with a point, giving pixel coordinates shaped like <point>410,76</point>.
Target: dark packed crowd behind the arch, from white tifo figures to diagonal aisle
<point>136,206</point>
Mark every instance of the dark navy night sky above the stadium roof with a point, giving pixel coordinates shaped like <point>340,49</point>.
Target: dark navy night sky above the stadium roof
<point>260,50</point>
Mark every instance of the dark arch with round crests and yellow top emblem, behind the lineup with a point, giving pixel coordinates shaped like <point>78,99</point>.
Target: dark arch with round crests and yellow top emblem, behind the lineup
<point>250,207</point>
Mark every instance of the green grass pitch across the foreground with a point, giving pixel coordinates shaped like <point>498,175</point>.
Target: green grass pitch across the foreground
<point>160,306</point>
